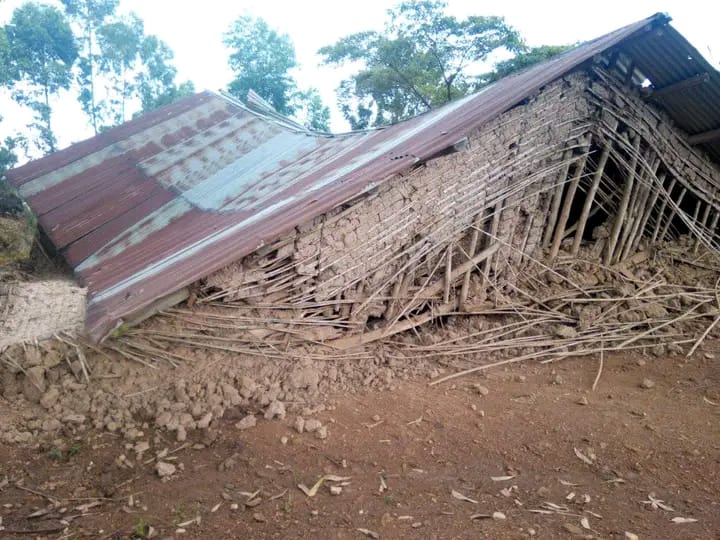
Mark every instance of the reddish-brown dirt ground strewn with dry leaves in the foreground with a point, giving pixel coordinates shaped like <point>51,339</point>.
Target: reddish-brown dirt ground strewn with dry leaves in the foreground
<point>527,451</point>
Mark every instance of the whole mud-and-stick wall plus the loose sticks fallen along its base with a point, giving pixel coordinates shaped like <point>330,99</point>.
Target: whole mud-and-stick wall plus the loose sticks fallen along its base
<point>586,177</point>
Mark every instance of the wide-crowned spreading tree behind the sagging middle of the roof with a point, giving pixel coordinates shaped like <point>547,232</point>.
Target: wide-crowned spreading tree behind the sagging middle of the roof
<point>423,58</point>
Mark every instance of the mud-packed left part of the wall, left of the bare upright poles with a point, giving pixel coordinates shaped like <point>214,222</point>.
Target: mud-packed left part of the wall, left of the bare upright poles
<point>385,255</point>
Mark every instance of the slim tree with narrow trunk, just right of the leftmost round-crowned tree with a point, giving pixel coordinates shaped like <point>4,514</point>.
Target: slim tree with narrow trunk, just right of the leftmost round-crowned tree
<point>89,17</point>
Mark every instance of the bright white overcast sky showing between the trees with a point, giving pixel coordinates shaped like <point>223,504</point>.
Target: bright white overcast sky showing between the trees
<point>194,31</point>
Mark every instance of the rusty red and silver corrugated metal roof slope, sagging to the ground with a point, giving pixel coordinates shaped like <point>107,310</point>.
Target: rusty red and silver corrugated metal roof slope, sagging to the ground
<point>164,200</point>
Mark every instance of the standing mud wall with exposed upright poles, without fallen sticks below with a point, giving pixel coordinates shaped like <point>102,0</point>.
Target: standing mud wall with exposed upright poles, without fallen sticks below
<point>586,163</point>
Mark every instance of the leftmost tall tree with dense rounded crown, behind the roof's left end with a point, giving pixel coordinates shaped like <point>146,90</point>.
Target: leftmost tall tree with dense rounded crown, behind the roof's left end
<point>42,50</point>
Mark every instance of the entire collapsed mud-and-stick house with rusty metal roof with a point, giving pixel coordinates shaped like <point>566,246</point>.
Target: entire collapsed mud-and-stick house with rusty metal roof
<point>551,197</point>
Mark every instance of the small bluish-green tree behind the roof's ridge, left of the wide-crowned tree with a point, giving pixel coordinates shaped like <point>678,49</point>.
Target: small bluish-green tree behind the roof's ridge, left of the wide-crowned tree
<point>261,59</point>
